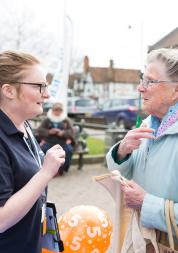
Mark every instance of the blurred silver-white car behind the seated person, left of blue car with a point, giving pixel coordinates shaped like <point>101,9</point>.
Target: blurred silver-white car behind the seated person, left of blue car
<point>81,106</point>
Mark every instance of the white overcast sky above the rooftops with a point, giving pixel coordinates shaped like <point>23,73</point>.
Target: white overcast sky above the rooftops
<point>105,29</point>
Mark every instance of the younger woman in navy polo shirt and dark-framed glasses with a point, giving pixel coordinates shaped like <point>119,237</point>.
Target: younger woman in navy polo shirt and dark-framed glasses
<point>24,170</point>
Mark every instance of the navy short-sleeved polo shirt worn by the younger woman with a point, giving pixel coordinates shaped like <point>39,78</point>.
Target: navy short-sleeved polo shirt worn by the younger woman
<point>17,167</point>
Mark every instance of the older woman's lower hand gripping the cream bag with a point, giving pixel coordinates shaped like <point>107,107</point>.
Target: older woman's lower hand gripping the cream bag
<point>133,195</point>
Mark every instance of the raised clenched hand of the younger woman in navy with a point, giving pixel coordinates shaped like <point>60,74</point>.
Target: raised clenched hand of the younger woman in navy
<point>54,158</point>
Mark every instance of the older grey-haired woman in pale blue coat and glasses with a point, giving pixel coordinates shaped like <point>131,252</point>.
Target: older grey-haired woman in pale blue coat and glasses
<point>149,155</point>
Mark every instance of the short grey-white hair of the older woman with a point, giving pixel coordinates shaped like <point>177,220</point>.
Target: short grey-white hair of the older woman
<point>168,56</point>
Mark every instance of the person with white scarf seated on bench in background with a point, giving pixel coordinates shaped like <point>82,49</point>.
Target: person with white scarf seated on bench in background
<point>57,129</point>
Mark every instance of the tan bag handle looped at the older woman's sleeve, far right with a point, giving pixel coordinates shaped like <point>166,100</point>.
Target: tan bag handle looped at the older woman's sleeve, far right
<point>170,221</point>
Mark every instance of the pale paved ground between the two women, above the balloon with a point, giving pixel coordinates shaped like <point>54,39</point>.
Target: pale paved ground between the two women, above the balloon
<point>79,188</point>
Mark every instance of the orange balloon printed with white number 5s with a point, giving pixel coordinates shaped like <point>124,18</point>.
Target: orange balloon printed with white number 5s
<point>85,229</point>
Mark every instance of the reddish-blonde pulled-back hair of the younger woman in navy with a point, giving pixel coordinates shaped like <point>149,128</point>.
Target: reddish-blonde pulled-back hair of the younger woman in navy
<point>12,64</point>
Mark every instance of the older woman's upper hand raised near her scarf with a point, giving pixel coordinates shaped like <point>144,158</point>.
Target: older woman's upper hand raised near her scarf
<point>132,140</point>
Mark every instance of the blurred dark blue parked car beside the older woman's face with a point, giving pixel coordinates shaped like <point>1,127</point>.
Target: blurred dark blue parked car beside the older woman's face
<point>121,110</point>
